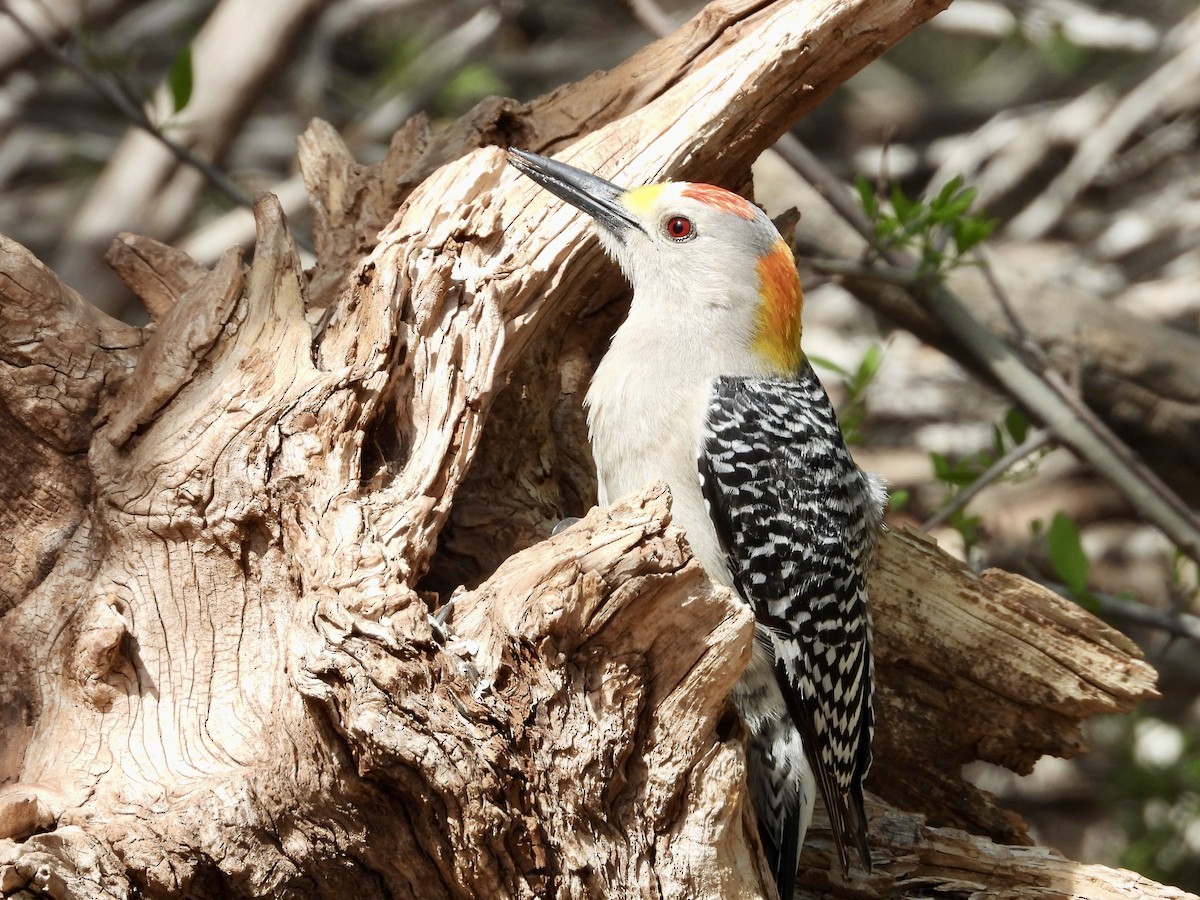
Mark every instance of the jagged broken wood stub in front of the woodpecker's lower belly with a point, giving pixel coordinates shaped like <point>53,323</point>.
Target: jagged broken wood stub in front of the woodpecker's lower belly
<point>566,681</point>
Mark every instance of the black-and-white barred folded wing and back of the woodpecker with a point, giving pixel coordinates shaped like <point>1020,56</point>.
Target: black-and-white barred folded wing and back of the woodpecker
<point>799,523</point>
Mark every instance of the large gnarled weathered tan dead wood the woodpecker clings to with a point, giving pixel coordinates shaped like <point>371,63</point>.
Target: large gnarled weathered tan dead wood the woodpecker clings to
<point>225,681</point>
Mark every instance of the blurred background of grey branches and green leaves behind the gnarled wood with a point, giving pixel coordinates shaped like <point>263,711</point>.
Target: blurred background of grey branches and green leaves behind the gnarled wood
<point>1076,129</point>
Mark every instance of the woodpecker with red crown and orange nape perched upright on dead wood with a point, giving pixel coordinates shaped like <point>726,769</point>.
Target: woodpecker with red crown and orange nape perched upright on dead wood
<point>706,387</point>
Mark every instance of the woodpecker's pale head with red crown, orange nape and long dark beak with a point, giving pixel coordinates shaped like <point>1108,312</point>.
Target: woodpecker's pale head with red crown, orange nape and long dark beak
<point>693,253</point>
